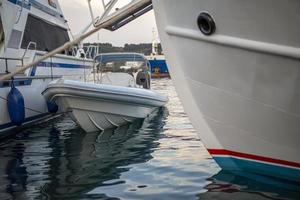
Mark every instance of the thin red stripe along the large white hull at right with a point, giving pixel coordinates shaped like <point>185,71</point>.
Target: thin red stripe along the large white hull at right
<point>253,157</point>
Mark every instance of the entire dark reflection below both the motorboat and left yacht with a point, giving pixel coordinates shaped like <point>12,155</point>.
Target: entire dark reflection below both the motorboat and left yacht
<point>78,161</point>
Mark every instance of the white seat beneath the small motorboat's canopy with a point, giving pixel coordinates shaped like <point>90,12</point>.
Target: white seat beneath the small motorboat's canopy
<point>118,79</point>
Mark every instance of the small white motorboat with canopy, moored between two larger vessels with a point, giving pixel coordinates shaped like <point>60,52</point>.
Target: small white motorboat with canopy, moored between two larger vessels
<point>122,94</point>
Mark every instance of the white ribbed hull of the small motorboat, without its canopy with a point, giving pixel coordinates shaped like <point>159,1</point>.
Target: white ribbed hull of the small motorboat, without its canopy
<point>99,107</point>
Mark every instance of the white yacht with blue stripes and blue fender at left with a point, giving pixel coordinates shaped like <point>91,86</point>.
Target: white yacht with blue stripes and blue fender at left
<point>28,30</point>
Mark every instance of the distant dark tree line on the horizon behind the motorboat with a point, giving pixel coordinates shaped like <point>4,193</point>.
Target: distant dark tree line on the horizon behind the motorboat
<point>144,48</point>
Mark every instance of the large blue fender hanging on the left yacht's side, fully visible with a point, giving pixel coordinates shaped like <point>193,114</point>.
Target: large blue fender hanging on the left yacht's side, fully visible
<point>16,106</point>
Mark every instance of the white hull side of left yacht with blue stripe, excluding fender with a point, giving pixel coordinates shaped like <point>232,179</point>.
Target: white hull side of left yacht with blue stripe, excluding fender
<point>31,87</point>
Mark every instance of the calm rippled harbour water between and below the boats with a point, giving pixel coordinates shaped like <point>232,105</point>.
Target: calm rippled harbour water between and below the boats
<point>159,158</point>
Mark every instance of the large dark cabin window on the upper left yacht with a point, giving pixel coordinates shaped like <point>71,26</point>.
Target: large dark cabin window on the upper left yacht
<point>47,36</point>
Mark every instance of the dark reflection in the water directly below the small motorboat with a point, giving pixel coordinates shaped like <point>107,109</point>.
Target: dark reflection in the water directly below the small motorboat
<point>89,160</point>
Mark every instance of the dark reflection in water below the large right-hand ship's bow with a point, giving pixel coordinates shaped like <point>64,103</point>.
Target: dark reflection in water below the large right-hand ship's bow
<point>228,185</point>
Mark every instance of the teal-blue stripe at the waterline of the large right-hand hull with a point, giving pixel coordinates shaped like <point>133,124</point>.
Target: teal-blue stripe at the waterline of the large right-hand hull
<point>236,164</point>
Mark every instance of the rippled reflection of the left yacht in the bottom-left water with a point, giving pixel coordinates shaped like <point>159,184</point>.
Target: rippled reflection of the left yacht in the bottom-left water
<point>23,163</point>
